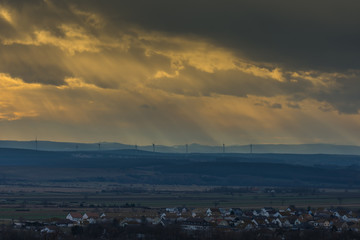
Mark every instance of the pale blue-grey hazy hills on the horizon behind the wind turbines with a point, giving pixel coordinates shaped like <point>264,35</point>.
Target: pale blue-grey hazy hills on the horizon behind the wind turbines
<point>192,148</point>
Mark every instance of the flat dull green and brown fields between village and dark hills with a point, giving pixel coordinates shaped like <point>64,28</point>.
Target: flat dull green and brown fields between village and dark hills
<point>45,202</point>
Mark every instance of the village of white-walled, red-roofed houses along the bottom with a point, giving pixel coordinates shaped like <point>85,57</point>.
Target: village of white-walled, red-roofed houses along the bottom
<point>204,219</point>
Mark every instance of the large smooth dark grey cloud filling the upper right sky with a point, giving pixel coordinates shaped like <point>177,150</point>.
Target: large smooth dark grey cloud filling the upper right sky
<point>296,34</point>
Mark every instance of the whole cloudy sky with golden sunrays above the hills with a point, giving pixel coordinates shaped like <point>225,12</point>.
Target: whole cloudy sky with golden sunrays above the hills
<point>176,72</point>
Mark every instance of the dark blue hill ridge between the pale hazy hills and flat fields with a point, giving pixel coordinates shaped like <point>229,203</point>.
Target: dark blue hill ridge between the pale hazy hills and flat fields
<point>146,167</point>
